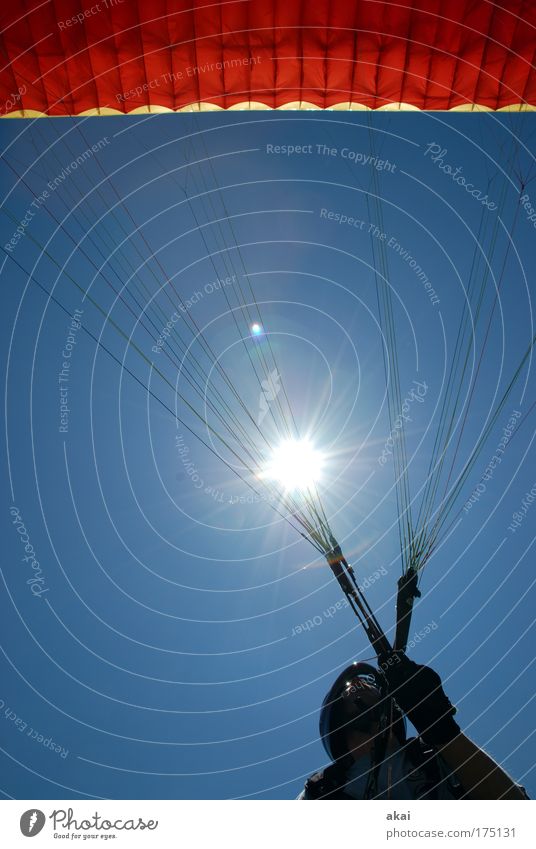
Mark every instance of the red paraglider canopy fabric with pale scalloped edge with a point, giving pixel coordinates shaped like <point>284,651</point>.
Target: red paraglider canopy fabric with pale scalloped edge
<point>66,57</point>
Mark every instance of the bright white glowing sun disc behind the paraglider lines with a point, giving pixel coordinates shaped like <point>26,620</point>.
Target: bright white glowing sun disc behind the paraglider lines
<point>295,464</point>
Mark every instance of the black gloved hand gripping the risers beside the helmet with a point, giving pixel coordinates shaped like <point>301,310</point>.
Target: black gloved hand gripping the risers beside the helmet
<point>418,692</point>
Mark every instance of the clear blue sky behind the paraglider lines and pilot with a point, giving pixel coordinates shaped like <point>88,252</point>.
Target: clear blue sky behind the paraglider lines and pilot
<point>166,655</point>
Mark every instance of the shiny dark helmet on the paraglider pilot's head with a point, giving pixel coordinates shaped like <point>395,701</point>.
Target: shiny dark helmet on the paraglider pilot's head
<point>333,722</point>
